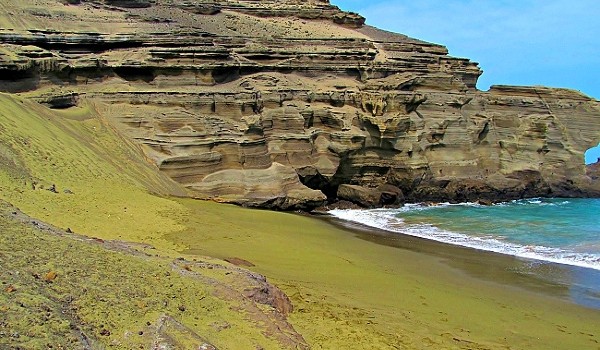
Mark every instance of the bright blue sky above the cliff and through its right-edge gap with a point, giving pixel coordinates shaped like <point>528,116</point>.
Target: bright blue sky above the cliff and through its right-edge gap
<point>517,42</point>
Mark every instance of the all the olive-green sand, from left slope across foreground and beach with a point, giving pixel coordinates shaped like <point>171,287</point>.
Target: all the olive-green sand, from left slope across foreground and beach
<point>347,292</point>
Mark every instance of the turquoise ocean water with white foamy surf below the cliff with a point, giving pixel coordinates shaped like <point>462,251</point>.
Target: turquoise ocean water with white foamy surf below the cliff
<point>563,231</point>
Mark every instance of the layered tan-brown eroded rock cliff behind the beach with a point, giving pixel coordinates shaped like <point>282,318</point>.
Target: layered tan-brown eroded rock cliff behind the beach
<point>288,104</point>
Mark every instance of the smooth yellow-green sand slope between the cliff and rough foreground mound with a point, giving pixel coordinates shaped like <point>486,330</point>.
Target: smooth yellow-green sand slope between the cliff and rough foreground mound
<point>69,168</point>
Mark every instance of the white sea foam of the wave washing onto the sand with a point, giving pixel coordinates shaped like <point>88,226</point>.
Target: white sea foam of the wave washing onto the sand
<point>387,219</point>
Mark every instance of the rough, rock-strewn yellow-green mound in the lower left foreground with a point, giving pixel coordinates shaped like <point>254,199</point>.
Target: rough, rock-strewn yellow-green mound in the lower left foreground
<point>62,291</point>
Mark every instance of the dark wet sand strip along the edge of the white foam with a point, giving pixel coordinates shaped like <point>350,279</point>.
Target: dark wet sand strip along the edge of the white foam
<point>547,278</point>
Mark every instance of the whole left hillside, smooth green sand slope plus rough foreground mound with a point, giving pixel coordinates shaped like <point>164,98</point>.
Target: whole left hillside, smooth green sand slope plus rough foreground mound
<point>69,169</point>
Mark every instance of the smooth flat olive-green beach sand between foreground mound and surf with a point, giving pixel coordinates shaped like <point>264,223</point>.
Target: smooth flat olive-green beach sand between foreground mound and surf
<point>348,292</point>
